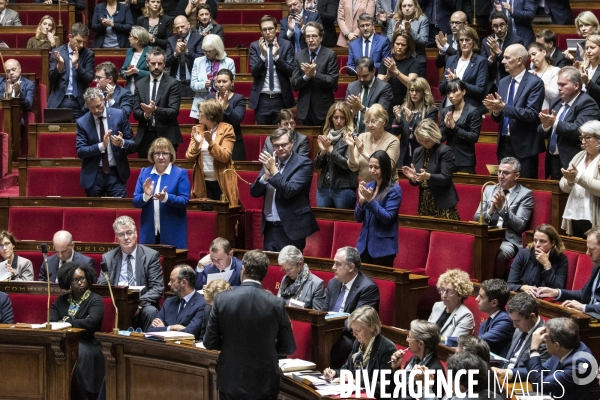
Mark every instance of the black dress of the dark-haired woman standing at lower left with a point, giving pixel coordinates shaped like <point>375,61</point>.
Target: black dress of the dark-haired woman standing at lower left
<point>89,371</point>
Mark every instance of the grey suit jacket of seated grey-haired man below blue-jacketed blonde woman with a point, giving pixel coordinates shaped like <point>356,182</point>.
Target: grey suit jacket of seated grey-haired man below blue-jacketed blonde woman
<point>148,272</point>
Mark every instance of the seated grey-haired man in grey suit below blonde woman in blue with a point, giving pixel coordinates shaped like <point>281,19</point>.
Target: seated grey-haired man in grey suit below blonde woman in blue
<point>131,264</point>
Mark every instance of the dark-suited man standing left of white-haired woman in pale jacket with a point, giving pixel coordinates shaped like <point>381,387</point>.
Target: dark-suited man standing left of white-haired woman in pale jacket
<point>182,50</point>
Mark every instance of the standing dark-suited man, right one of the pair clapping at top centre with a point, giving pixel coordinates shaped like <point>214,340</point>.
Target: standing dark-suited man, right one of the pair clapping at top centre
<point>315,76</point>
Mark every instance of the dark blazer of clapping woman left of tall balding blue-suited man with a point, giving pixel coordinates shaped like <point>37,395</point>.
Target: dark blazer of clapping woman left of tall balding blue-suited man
<point>475,79</point>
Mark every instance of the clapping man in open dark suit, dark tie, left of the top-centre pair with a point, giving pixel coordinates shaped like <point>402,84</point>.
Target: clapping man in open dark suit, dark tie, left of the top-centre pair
<point>271,66</point>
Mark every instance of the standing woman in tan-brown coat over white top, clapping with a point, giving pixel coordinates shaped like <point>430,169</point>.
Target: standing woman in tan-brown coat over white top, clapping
<point>210,150</point>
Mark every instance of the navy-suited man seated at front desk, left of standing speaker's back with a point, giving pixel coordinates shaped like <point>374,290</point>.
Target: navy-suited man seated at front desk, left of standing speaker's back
<point>183,312</point>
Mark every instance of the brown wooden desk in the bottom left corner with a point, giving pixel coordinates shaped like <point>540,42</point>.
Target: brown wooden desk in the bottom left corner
<point>40,362</point>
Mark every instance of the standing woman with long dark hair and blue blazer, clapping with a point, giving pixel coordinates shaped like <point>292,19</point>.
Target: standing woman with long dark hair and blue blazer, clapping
<point>377,209</point>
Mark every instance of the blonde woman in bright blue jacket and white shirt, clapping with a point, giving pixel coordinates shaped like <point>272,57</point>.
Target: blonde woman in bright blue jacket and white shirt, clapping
<point>163,193</point>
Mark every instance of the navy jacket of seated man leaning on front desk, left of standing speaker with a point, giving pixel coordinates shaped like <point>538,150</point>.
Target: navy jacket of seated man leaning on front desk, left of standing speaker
<point>192,315</point>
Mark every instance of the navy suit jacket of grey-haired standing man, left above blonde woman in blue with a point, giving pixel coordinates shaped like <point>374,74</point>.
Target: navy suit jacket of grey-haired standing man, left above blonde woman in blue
<point>88,150</point>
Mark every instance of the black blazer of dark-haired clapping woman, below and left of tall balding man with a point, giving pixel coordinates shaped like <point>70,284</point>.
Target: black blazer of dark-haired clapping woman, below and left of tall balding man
<point>462,138</point>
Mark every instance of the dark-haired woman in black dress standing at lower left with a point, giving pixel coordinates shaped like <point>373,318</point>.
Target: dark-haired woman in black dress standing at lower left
<point>83,309</point>
